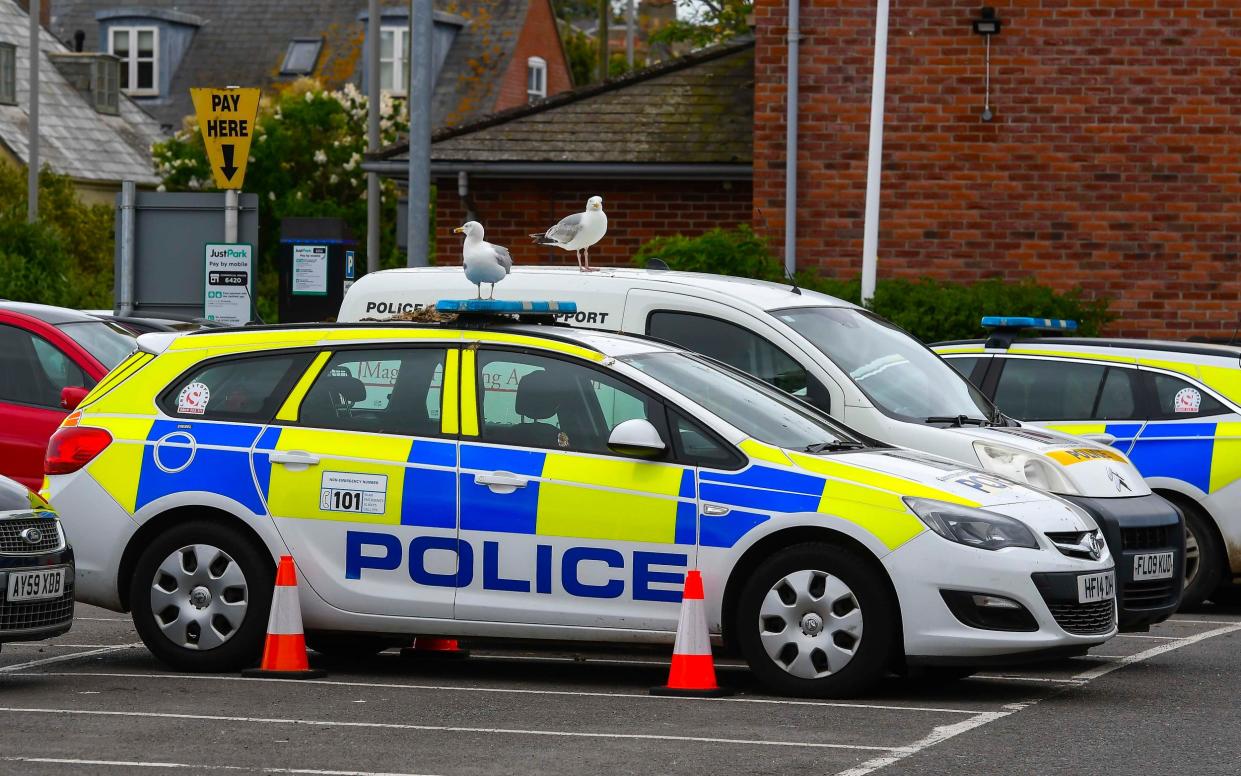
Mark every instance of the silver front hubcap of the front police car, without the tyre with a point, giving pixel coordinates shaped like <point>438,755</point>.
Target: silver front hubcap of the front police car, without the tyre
<point>811,624</point>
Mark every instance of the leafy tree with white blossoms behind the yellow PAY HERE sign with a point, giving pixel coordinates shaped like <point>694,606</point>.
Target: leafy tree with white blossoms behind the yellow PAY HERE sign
<point>305,161</point>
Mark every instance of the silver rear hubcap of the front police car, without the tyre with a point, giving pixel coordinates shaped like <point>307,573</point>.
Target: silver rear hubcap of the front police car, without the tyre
<point>199,597</point>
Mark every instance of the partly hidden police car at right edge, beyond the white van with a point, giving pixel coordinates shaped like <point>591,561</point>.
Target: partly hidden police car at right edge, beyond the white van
<point>1173,408</point>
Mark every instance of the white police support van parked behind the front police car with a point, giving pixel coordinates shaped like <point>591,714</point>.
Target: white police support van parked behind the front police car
<point>845,361</point>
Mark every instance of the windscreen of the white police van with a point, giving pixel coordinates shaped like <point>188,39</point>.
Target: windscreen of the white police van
<point>899,374</point>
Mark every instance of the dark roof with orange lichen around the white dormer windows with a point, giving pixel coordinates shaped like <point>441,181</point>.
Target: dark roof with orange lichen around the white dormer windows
<point>244,43</point>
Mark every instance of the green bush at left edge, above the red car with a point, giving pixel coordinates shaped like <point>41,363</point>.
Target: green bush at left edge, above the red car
<point>68,258</point>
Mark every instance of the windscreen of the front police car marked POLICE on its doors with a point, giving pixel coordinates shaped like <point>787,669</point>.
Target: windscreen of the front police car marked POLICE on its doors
<point>744,403</point>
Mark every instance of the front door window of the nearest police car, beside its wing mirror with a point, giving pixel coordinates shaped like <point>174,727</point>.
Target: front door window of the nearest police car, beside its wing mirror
<point>537,402</point>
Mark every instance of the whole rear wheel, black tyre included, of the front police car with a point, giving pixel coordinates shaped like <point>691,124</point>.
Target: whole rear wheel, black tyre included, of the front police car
<point>200,597</point>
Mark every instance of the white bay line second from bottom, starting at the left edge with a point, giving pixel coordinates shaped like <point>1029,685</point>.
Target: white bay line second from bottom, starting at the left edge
<point>325,723</point>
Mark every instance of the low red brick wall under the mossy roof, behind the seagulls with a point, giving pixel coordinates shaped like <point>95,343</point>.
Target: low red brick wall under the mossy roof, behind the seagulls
<point>638,210</point>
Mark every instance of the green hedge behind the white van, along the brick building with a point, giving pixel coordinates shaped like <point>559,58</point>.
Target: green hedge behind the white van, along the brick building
<point>930,310</point>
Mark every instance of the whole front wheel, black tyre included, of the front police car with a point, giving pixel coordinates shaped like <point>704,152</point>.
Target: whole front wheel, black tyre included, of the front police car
<point>817,620</point>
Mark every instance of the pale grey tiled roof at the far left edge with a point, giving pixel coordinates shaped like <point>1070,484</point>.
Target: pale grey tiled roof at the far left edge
<point>75,140</point>
